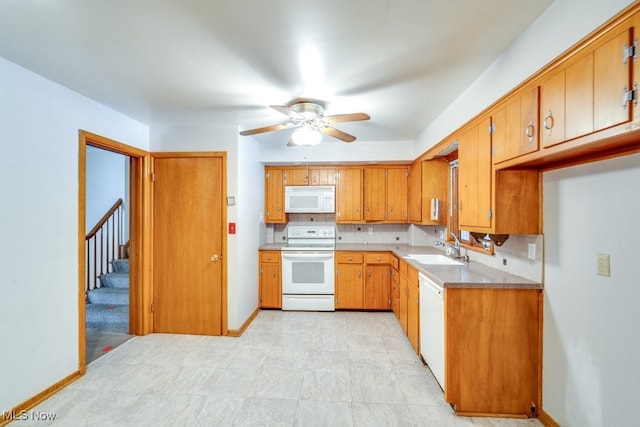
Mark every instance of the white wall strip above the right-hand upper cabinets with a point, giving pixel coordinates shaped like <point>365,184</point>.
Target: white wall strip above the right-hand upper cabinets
<point>562,25</point>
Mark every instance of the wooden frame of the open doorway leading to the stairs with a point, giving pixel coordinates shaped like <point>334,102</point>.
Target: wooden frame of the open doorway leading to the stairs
<point>140,293</point>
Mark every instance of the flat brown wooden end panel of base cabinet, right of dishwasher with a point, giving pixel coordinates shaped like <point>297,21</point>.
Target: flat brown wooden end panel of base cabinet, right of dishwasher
<point>493,351</point>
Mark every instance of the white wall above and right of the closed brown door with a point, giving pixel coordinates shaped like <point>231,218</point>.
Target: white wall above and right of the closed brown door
<point>242,280</point>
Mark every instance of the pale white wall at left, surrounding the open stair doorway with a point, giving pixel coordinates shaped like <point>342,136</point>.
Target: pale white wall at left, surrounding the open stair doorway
<point>39,123</point>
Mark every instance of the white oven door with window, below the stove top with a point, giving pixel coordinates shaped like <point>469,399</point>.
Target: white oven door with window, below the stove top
<point>308,272</point>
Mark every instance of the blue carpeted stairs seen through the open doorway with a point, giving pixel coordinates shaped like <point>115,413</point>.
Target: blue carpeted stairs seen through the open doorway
<point>108,305</point>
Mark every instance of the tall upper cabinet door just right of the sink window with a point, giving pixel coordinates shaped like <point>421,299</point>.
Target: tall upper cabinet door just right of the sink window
<point>474,177</point>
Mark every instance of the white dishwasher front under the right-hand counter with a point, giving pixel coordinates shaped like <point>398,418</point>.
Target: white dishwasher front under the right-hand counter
<point>432,326</point>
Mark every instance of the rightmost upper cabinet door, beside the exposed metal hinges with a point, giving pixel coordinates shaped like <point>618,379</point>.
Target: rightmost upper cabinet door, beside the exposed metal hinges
<point>611,75</point>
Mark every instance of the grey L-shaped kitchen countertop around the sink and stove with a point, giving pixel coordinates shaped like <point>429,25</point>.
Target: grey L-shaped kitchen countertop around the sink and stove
<point>471,274</point>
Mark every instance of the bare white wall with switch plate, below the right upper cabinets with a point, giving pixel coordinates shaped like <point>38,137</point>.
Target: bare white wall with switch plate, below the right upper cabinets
<point>591,348</point>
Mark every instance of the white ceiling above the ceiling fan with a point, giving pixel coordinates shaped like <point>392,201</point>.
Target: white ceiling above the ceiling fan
<point>225,61</point>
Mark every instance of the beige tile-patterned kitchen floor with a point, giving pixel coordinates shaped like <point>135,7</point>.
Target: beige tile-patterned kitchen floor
<point>287,369</point>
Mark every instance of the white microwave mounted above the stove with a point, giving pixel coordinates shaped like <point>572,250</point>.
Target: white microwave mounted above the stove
<point>309,199</point>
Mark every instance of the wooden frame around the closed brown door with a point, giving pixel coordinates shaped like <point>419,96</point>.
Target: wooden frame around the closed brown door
<point>223,156</point>
